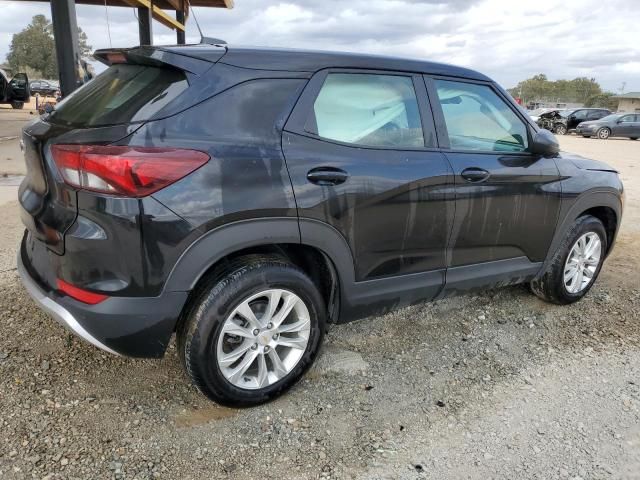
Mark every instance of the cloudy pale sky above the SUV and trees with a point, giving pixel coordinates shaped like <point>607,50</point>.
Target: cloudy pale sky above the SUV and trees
<point>507,39</point>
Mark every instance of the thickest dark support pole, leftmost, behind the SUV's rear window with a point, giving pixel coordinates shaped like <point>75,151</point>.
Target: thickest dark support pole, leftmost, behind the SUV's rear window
<point>65,32</point>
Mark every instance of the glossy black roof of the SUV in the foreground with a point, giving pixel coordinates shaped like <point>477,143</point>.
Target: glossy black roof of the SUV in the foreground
<point>295,60</point>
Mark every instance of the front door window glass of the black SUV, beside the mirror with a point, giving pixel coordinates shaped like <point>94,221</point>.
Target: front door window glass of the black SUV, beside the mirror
<point>478,119</point>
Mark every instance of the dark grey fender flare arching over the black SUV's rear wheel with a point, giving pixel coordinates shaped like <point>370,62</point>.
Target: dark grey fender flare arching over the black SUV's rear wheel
<point>233,237</point>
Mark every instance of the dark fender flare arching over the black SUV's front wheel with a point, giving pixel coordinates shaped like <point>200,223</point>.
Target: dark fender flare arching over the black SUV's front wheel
<point>590,199</point>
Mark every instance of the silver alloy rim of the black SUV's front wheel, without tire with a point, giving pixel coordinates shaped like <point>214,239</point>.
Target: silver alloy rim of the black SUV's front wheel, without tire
<point>582,262</point>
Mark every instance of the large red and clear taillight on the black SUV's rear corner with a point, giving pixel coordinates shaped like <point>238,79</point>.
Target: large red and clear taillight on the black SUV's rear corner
<point>125,171</point>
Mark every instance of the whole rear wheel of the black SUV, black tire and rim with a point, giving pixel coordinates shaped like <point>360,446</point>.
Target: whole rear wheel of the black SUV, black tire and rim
<point>253,331</point>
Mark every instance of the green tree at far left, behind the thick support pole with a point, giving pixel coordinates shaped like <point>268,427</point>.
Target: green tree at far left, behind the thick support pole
<point>33,49</point>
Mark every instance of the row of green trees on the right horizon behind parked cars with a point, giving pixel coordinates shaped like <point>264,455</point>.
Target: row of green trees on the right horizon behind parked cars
<point>579,90</point>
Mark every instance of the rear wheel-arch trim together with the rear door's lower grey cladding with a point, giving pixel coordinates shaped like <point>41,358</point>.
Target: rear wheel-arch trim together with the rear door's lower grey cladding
<point>356,299</point>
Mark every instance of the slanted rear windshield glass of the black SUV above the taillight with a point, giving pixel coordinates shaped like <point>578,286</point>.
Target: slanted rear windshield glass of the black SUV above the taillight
<point>121,94</point>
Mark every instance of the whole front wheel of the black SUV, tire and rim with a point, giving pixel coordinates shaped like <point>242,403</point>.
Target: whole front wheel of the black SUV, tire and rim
<point>575,265</point>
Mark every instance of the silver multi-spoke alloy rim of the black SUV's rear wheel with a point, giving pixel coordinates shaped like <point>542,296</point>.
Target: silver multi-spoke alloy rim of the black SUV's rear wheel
<point>263,339</point>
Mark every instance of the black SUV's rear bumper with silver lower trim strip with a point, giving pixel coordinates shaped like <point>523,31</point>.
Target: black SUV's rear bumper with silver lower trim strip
<point>130,326</point>
